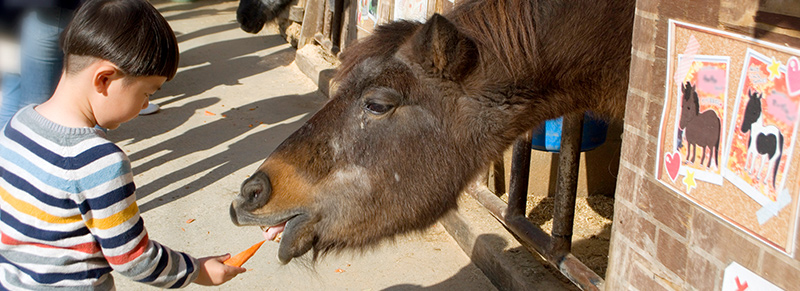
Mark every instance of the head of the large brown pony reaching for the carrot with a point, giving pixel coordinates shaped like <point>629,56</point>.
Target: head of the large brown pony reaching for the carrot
<point>388,154</point>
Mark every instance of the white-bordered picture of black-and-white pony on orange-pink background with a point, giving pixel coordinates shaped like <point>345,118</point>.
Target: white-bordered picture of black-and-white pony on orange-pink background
<point>763,130</point>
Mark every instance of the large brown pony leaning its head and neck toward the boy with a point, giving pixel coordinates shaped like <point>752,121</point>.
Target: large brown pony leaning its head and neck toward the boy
<point>420,110</point>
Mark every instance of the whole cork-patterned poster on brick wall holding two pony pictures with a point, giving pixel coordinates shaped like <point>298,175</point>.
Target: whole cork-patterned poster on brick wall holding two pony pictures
<point>752,87</point>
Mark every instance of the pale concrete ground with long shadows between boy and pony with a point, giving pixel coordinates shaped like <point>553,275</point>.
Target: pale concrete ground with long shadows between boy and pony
<point>235,98</point>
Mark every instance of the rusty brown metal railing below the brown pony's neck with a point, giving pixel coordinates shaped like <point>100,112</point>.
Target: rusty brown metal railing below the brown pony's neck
<point>554,248</point>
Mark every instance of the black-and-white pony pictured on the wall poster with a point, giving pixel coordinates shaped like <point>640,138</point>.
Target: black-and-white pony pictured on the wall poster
<point>764,141</point>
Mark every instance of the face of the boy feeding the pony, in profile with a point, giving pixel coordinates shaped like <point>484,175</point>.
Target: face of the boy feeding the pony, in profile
<point>127,98</point>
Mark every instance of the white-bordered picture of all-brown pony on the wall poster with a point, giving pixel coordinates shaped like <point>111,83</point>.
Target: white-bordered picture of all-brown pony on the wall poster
<point>701,98</point>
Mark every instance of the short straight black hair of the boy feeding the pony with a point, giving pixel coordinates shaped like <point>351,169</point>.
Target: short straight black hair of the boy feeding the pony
<point>132,34</point>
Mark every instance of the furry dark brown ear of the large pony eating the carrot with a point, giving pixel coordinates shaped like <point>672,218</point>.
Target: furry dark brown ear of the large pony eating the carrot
<point>442,50</point>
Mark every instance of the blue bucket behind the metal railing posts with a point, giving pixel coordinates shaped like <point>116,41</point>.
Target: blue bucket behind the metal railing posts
<point>547,137</point>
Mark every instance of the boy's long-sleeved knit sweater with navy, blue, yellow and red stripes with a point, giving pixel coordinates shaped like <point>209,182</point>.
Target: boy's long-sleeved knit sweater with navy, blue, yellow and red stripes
<point>68,215</point>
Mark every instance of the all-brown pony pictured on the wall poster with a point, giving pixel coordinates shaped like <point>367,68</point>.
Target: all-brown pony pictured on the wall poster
<point>700,129</point>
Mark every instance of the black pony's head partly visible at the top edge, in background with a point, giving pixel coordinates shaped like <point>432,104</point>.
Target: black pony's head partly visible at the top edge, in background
<point>253,14</point>
